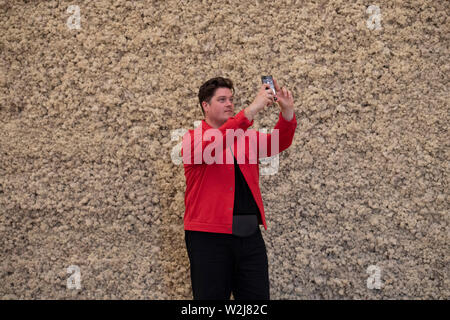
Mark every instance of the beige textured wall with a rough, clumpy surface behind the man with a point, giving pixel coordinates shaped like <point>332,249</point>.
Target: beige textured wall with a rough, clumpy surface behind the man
<point>87,116</point>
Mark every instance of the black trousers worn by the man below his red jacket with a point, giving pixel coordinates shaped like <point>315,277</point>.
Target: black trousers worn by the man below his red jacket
<point>224,263</point>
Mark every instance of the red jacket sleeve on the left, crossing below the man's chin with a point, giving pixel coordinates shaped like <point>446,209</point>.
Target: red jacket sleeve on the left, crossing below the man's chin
<point>197,145</point>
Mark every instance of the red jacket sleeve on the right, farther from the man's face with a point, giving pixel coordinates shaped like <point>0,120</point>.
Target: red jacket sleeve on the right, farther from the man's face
<point>279,140</point>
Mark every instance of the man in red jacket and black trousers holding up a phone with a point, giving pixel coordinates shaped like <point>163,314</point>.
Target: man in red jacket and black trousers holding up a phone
<point>223,201</point>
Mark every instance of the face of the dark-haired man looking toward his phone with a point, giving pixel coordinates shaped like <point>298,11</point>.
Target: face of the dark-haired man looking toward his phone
<point>221,107</point>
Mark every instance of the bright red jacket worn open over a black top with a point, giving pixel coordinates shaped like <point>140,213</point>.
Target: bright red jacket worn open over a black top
<point>209,196</point>
